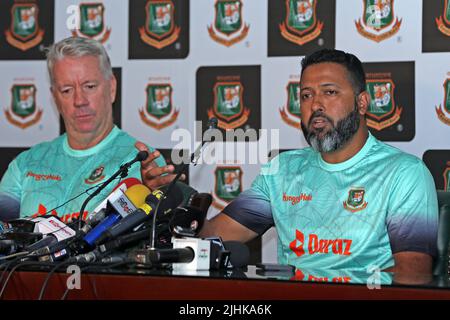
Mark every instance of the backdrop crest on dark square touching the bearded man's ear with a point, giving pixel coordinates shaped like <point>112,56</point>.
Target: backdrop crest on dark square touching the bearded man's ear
<point>382,111</point>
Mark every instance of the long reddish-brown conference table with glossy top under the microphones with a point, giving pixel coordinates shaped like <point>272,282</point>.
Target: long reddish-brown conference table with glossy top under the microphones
<point>250,283</point>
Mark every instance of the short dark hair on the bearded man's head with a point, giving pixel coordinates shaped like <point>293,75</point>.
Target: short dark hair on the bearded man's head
<point>351,63</point>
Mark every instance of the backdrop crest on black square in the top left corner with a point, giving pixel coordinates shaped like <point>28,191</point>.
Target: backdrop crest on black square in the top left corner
<point>24,32</point>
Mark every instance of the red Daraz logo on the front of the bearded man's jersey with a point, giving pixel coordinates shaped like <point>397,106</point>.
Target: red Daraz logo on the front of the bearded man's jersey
<point>319,246</point>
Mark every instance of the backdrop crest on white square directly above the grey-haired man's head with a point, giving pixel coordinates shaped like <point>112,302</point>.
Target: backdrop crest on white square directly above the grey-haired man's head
<point>92,23</point>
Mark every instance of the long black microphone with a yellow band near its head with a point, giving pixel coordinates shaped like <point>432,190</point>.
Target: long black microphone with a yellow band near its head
<point>139,216</point>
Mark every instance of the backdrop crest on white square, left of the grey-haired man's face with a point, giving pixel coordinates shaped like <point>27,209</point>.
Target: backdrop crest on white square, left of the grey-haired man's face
<point>23,111</point>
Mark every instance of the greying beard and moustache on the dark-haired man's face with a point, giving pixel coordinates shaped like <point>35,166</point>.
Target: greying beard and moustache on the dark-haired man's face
<point>337,136</point>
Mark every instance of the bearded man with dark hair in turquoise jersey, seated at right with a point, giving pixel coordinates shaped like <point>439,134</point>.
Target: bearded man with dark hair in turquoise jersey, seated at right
<point>348,202</point>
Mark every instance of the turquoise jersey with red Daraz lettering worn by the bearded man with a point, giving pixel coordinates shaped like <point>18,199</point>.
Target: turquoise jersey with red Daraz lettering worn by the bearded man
<point>349,215</point>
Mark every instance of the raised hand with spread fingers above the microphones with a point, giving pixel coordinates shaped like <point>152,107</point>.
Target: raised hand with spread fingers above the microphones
<point>153,176</point>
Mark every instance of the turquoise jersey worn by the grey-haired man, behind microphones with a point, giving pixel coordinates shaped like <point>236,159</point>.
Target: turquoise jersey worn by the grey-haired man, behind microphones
<point>48,177</point>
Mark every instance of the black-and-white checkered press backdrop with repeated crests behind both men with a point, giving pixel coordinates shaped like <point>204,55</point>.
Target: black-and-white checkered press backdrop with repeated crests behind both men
<point>181,61</point>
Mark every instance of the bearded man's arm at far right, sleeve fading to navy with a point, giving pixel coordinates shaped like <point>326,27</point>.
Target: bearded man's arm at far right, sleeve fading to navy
<point>412,221</point>
